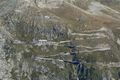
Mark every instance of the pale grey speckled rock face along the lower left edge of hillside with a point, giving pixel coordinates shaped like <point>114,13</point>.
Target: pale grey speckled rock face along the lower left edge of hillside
<point>5,65</point>
